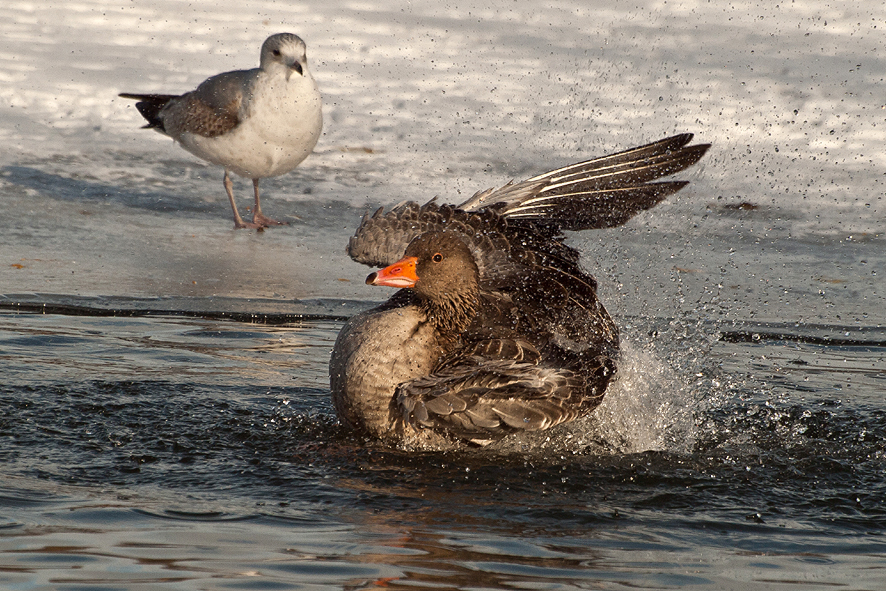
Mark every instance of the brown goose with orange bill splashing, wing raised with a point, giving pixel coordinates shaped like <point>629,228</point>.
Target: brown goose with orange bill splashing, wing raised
<point>497,329</point>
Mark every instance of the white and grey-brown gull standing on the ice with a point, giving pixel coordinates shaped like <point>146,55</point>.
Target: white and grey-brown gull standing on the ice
<point>255,123</point>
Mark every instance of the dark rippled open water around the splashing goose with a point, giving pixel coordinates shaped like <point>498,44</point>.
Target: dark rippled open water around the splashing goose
<point>140,451</point>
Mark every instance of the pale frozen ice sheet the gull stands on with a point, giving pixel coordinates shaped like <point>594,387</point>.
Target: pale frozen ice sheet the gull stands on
<point>783,221</point>
